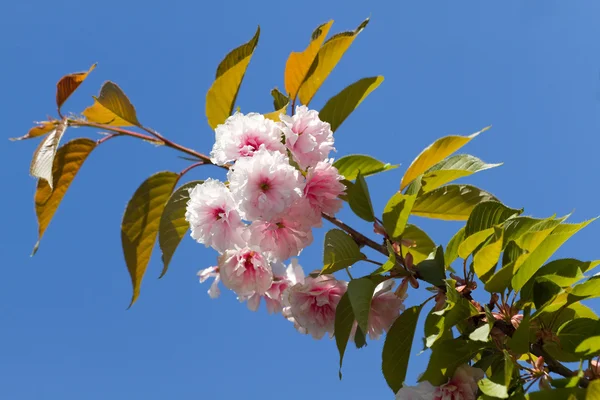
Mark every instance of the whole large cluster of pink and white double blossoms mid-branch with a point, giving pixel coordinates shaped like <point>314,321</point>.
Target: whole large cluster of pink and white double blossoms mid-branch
<point>280,180</point>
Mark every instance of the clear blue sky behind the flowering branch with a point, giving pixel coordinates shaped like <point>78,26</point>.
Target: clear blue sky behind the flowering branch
<point>531,69</point>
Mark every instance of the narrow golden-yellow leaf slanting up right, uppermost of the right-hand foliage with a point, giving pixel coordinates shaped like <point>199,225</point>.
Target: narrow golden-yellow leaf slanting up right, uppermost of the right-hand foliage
<point>435,153</point>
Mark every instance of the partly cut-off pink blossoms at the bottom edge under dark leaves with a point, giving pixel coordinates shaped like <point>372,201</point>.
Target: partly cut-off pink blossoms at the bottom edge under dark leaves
<point>462,386</point>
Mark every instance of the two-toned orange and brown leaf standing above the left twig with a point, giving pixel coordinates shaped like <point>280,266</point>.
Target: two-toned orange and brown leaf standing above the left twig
<point>112,107</point>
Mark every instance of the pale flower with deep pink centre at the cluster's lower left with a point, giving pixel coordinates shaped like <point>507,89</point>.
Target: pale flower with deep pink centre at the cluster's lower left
<point>245,271</point>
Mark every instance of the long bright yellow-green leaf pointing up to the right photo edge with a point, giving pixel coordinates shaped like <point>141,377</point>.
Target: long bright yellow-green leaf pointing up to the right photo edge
<point>550,244</point>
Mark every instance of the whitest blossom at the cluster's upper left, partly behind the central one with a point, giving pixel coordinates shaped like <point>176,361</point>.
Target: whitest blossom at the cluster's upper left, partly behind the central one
<point>241,135</point>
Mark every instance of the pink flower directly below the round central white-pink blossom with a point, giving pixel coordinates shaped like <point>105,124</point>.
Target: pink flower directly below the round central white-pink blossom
<point>286,234</point>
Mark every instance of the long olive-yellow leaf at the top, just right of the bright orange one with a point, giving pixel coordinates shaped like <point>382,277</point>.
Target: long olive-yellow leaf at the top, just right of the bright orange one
<point>327,58</point>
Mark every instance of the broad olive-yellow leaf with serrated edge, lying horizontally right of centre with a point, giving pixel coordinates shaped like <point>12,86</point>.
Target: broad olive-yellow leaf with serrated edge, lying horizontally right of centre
<point>451,202</point>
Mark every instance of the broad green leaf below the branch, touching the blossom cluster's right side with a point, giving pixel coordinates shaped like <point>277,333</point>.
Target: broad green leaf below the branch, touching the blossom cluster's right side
<point>340,251</point>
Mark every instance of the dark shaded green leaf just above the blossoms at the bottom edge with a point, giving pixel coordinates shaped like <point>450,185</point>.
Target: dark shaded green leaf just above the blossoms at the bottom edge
<point>446,356</point>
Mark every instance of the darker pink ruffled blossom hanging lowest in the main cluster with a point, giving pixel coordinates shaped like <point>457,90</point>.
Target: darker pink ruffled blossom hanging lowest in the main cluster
<point>311,305</point>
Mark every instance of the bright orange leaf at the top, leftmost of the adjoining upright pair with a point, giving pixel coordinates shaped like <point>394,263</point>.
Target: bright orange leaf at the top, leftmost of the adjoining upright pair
<point>298,64</point>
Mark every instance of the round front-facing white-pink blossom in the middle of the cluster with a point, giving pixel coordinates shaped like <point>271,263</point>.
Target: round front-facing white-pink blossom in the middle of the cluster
<point>264,185</point>
